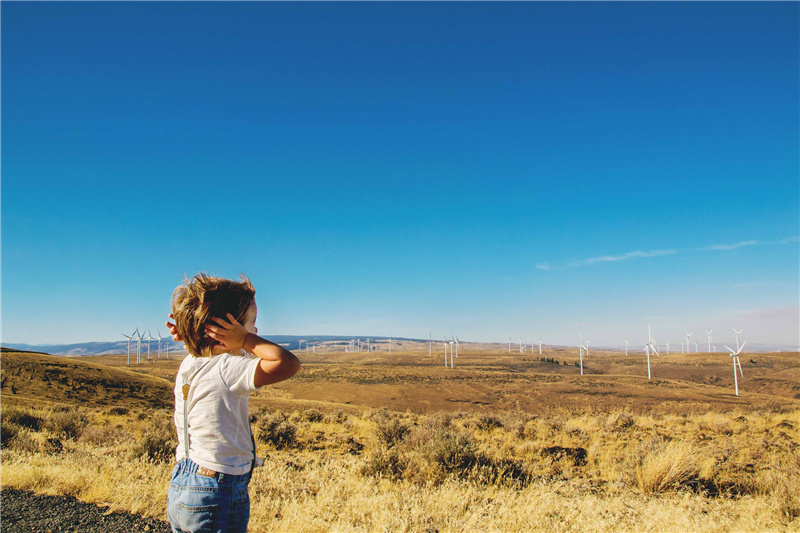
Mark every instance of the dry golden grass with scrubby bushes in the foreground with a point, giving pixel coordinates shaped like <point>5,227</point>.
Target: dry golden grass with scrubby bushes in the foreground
<point>452,471</point>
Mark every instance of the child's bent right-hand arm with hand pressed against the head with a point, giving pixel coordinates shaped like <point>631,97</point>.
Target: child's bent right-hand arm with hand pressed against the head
<point>277,363</point>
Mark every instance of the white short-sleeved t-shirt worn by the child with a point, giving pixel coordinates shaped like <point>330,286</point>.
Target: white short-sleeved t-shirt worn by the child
<point>219,424</point>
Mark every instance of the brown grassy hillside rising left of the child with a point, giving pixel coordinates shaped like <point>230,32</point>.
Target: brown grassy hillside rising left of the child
<point>34,378</point>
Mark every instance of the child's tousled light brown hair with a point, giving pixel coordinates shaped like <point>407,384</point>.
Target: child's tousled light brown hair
<point>195,302</point>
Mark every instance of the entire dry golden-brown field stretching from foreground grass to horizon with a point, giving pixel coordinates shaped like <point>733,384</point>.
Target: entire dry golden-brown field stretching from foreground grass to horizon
<point>366,442</point>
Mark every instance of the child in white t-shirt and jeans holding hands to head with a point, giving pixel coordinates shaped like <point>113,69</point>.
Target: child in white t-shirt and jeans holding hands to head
<point>216,319</point>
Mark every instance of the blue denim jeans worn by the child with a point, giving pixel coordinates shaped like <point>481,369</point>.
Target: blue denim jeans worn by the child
<point>196,503</point>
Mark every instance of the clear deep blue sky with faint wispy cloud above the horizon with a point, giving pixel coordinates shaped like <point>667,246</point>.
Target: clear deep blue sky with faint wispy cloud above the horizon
<point>492,170</point>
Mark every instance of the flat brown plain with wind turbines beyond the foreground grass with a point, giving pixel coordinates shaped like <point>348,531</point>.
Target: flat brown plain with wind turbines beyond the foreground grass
<point>488,381</point>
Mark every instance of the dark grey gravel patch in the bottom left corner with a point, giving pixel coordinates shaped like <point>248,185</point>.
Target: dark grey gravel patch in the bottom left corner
<point>23,511</point>
